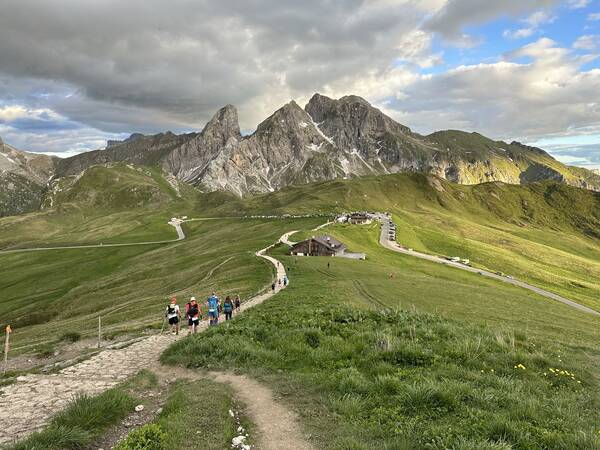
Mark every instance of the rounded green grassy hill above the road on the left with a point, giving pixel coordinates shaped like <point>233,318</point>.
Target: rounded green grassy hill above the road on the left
<point>105,204</point>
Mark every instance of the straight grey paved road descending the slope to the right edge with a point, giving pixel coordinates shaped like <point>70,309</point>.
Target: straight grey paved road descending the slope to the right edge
<point>392,245</point>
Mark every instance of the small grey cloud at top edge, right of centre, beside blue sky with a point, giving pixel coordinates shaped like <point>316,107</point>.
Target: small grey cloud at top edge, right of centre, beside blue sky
<point>455,15</point>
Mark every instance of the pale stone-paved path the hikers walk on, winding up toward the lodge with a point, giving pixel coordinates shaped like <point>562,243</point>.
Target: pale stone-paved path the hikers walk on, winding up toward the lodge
<point>28,404</point>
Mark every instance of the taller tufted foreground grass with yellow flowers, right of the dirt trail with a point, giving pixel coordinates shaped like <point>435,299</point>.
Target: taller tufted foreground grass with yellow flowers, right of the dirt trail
<point>407,380</point>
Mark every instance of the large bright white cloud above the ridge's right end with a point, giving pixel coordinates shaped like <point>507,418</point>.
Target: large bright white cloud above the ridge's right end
<point>548,96</point>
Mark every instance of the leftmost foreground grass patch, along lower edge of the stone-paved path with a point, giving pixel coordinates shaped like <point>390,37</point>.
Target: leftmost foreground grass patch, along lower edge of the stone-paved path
<point>87,418</point>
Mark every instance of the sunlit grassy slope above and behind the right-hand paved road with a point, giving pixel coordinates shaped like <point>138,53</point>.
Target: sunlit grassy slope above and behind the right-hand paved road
<point>544,233</point>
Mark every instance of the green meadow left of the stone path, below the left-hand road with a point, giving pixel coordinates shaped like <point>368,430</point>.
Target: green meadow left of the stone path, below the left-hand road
<point>46,294</point>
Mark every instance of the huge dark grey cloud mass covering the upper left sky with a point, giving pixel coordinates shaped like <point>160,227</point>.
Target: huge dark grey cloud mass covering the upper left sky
<point>173,64</point>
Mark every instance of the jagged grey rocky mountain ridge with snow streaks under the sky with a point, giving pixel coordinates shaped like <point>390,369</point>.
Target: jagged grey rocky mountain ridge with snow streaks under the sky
<point>327,139</point>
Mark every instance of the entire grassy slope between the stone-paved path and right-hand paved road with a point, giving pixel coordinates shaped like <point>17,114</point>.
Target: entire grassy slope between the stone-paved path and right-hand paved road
<point>428,359</point>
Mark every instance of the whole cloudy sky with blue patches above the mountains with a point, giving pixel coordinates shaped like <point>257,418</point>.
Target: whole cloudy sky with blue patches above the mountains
<point>75,73</point>
